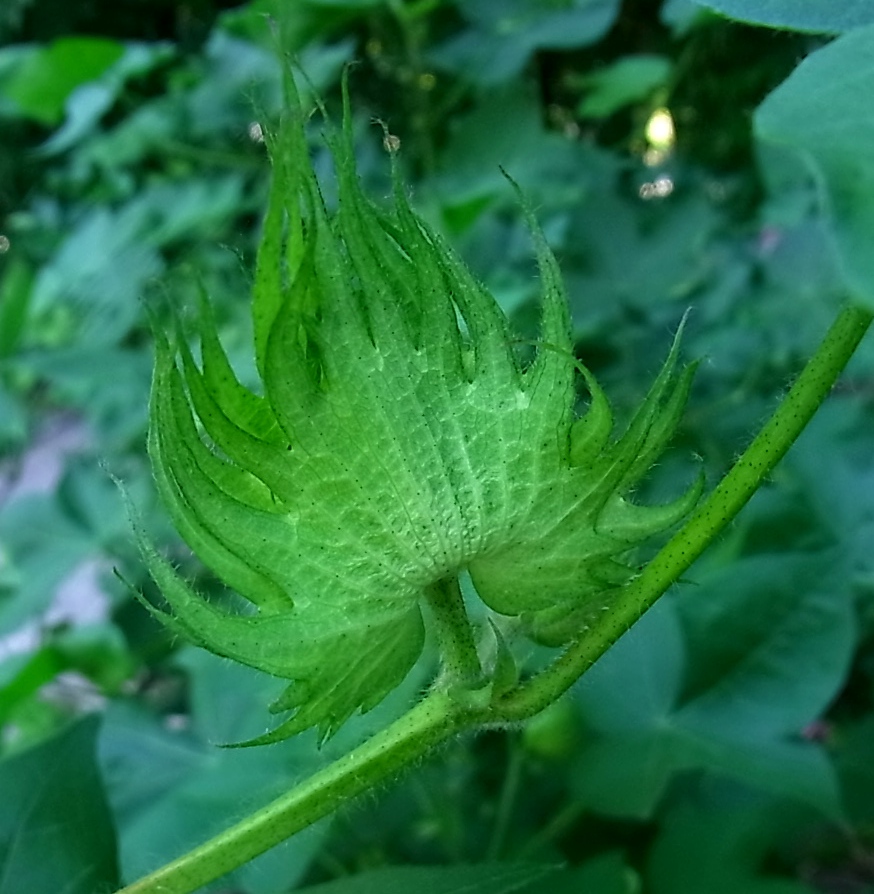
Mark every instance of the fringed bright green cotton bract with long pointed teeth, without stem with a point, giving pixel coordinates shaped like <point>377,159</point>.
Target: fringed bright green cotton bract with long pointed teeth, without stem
<point>399,441</point>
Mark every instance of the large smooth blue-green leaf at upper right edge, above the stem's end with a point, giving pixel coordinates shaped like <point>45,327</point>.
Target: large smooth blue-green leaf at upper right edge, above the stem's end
<point>822,112</point>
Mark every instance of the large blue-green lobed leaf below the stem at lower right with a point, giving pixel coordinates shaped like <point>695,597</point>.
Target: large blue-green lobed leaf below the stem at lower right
<point>767,645</point>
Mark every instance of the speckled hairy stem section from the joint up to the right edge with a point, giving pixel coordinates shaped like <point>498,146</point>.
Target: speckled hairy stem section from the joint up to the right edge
<point>731,494</point>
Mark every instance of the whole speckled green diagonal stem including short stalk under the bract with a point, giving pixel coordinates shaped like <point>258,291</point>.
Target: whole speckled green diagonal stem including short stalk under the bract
<point>441,715</point>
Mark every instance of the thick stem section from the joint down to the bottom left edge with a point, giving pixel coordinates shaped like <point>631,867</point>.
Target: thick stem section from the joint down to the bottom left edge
<point>436,718</point>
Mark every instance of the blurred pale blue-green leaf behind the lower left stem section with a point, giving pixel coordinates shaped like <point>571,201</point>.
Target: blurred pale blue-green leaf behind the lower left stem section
<point>172,790</point>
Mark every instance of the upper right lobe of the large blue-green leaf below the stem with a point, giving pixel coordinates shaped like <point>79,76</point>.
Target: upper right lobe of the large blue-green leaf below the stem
<point>773,637</point>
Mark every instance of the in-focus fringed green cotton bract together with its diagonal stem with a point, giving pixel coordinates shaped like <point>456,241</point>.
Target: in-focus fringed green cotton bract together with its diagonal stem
<point>397,442</point>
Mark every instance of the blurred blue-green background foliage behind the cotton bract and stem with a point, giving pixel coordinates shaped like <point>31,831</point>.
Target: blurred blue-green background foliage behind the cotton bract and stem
<point>726,743</point>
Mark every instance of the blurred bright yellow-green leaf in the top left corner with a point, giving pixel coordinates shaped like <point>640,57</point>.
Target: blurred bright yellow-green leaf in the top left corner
<point>46,77</point>
